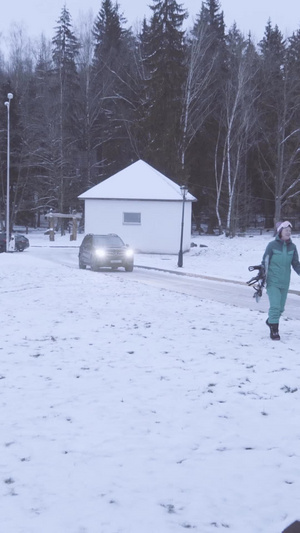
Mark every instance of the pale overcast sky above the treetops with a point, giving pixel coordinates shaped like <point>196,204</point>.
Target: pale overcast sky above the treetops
<point>39,16</point>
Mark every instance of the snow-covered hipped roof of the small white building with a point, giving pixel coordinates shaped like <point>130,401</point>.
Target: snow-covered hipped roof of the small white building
<point>138,181</point>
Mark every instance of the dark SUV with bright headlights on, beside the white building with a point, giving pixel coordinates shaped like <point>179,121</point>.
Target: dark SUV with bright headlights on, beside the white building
<point>99,251</point>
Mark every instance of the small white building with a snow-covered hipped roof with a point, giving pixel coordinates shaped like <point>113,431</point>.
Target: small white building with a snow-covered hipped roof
<point>143,207</point>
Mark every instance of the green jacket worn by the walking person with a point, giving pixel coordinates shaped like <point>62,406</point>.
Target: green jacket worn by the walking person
<point>278,259</point>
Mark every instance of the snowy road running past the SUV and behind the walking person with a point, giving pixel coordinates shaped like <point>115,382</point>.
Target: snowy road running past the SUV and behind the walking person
<point>232,293</point>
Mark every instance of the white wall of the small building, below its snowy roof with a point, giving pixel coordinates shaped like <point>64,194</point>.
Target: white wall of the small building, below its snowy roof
<point>158,232</point>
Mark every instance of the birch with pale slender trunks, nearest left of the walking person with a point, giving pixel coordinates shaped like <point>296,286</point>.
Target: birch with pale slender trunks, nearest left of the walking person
<point>236,125</point>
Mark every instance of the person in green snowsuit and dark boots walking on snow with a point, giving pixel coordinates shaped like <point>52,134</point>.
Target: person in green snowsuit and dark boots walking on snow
<point>280,255</point>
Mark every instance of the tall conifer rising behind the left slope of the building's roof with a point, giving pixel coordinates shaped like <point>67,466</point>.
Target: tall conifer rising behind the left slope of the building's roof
<point>112,67</point>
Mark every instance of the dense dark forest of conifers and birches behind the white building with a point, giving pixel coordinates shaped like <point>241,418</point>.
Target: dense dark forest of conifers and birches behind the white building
<point>206,106</point>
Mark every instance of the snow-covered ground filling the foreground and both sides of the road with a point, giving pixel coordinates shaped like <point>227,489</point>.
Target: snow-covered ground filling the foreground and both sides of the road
<point>127,408</point>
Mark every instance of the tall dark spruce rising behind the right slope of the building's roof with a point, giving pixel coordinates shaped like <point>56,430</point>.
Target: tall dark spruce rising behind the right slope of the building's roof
<point>165,75</point>
